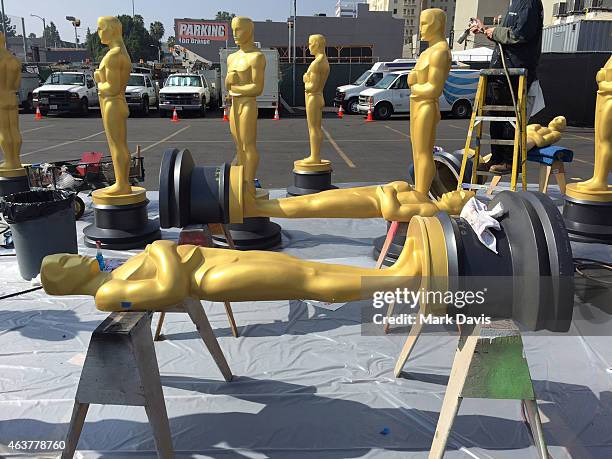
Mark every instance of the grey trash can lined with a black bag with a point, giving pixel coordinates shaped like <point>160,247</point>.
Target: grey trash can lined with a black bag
<point>42,223</point>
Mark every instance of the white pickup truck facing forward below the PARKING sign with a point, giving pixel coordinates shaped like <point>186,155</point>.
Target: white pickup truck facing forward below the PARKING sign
<point>184,92</point>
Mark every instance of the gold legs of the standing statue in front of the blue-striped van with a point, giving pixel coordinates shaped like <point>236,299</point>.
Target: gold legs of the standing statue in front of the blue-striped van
<point>423,134</point>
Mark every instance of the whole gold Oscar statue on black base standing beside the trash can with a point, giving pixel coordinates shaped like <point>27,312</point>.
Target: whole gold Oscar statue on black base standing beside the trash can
<point>120,210</point>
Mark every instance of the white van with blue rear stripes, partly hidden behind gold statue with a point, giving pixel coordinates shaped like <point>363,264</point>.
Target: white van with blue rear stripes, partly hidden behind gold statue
<point>391,95</point>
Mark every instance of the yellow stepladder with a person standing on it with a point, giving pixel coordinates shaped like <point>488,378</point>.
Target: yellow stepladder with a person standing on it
<point>516,115</point>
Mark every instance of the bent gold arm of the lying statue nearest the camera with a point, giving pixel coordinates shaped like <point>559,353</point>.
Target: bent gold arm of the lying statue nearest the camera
<point>170,285</point>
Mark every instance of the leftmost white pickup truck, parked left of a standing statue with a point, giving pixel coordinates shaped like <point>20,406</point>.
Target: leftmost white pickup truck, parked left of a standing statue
<point>67,92</point>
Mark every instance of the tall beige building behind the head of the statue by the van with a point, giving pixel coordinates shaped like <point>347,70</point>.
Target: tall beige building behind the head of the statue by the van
<point>410,11</point>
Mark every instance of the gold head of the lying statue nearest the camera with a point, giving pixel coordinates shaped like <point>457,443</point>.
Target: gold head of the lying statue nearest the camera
<point>64,274</point>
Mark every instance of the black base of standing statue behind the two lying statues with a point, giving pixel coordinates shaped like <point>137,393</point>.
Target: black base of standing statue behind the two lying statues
<point>254,234</point>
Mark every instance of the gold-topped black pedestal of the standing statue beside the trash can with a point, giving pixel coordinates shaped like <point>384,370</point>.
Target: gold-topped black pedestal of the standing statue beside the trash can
<point>121,221</point>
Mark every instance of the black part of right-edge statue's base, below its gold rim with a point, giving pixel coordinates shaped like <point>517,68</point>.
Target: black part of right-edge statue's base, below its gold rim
<point>588,221</point>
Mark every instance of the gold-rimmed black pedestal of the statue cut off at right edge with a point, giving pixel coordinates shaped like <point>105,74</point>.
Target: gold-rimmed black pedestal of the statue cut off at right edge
<point>588,214</point>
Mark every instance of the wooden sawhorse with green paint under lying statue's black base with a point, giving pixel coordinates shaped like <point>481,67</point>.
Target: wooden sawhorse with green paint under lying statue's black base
<point>489,364</point>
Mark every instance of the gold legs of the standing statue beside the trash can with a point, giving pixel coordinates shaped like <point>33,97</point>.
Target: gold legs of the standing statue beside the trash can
<point>114,116</point>
